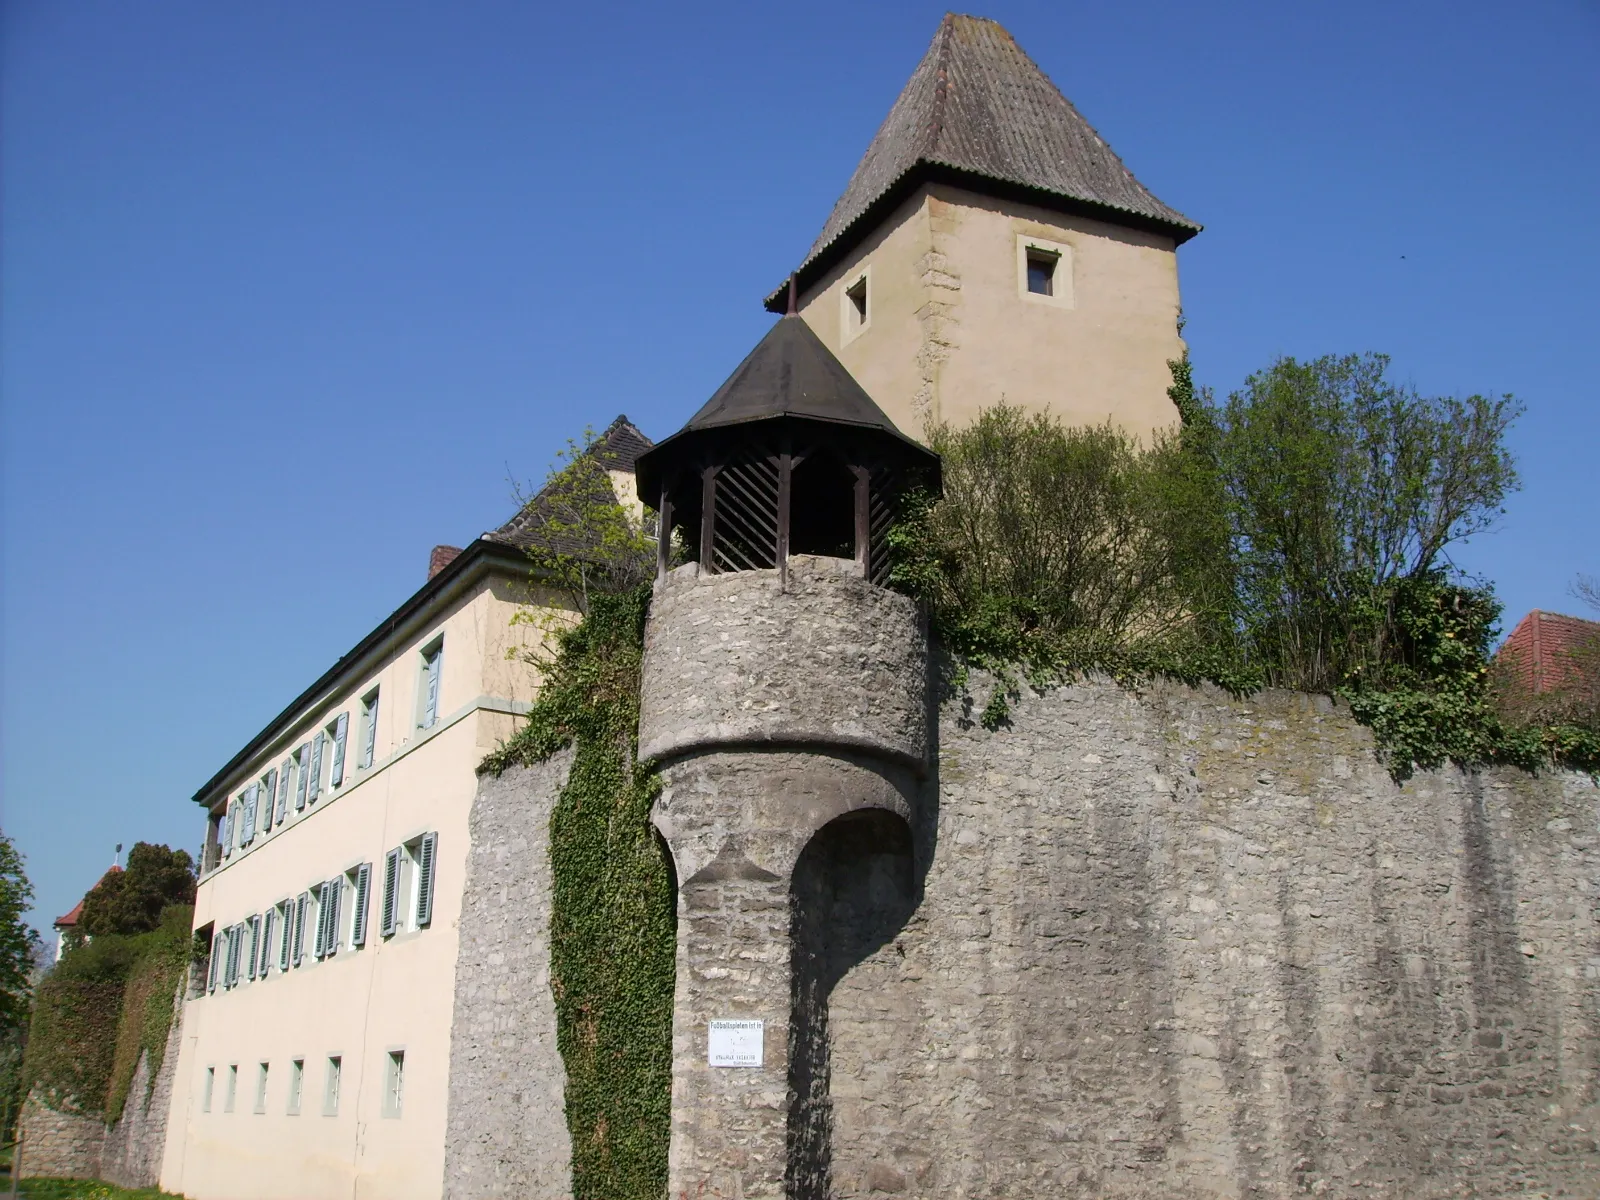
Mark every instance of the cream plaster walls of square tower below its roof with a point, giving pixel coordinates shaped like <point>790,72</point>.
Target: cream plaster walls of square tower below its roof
<point>953,330</point>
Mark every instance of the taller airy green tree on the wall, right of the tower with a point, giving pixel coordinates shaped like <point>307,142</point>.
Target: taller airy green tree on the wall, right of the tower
<point>1342,484</point>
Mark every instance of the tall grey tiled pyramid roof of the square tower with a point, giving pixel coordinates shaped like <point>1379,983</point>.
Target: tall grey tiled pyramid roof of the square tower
<point>978,113</point>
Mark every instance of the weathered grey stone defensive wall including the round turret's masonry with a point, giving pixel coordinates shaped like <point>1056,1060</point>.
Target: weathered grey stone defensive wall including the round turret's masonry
<point>1156,943</point>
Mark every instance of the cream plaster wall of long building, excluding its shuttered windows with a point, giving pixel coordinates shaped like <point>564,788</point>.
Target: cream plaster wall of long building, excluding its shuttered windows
<point>359,1004</point>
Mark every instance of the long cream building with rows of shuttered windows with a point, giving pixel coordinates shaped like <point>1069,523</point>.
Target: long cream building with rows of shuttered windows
<point>314,1060</point>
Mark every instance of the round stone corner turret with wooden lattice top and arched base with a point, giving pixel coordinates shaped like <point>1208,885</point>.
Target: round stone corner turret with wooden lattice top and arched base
<point>785,698</point>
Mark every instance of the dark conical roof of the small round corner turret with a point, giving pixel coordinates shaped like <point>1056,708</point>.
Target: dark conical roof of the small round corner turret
<point>790,374</point>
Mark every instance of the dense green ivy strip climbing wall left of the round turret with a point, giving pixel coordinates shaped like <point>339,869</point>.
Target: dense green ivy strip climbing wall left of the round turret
<point>614,921</point>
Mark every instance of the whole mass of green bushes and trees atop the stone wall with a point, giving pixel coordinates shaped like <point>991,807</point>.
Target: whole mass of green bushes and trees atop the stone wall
<point>1297,535</point>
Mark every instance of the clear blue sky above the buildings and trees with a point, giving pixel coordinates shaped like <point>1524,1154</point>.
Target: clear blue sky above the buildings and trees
<point>295,292</point>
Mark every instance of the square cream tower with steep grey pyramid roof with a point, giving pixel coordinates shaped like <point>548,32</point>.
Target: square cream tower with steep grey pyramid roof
<point>993,247</point>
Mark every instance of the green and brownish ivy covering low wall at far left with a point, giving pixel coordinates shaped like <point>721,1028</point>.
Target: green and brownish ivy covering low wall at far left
<point>102,1006</point>
